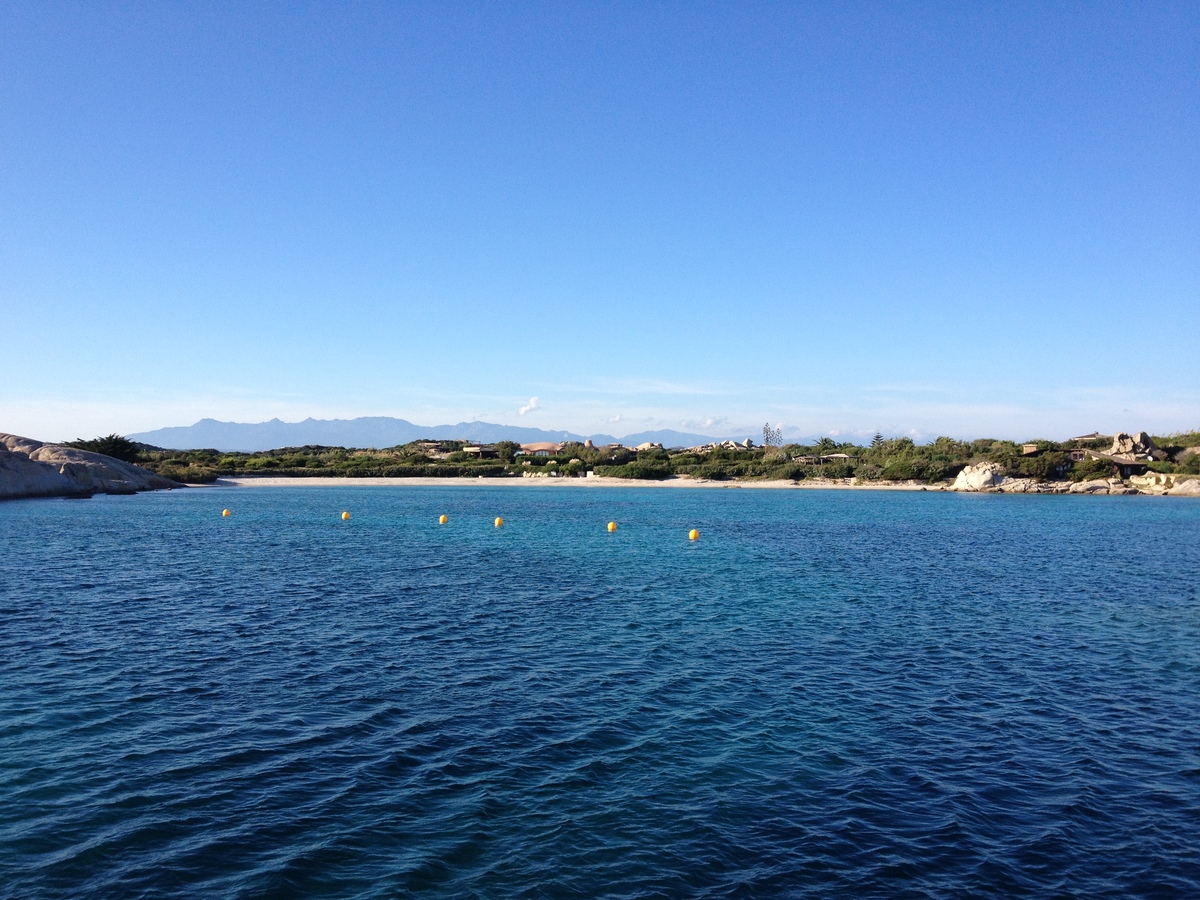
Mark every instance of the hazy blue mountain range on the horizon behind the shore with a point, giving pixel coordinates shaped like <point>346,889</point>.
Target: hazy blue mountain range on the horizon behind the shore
<point>376,431</point>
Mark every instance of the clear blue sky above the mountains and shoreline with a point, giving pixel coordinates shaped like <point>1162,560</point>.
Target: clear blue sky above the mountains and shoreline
<point>965,219</point>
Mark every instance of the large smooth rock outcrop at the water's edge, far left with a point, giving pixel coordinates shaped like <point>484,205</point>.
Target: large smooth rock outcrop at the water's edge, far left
<point>31,469</point>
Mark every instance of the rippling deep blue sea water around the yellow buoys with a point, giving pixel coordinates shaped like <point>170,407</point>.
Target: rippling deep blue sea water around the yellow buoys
<point>830,694</point>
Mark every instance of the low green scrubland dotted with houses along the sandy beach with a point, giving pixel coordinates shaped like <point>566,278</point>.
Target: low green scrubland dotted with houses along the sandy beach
<point>881,460</point>
